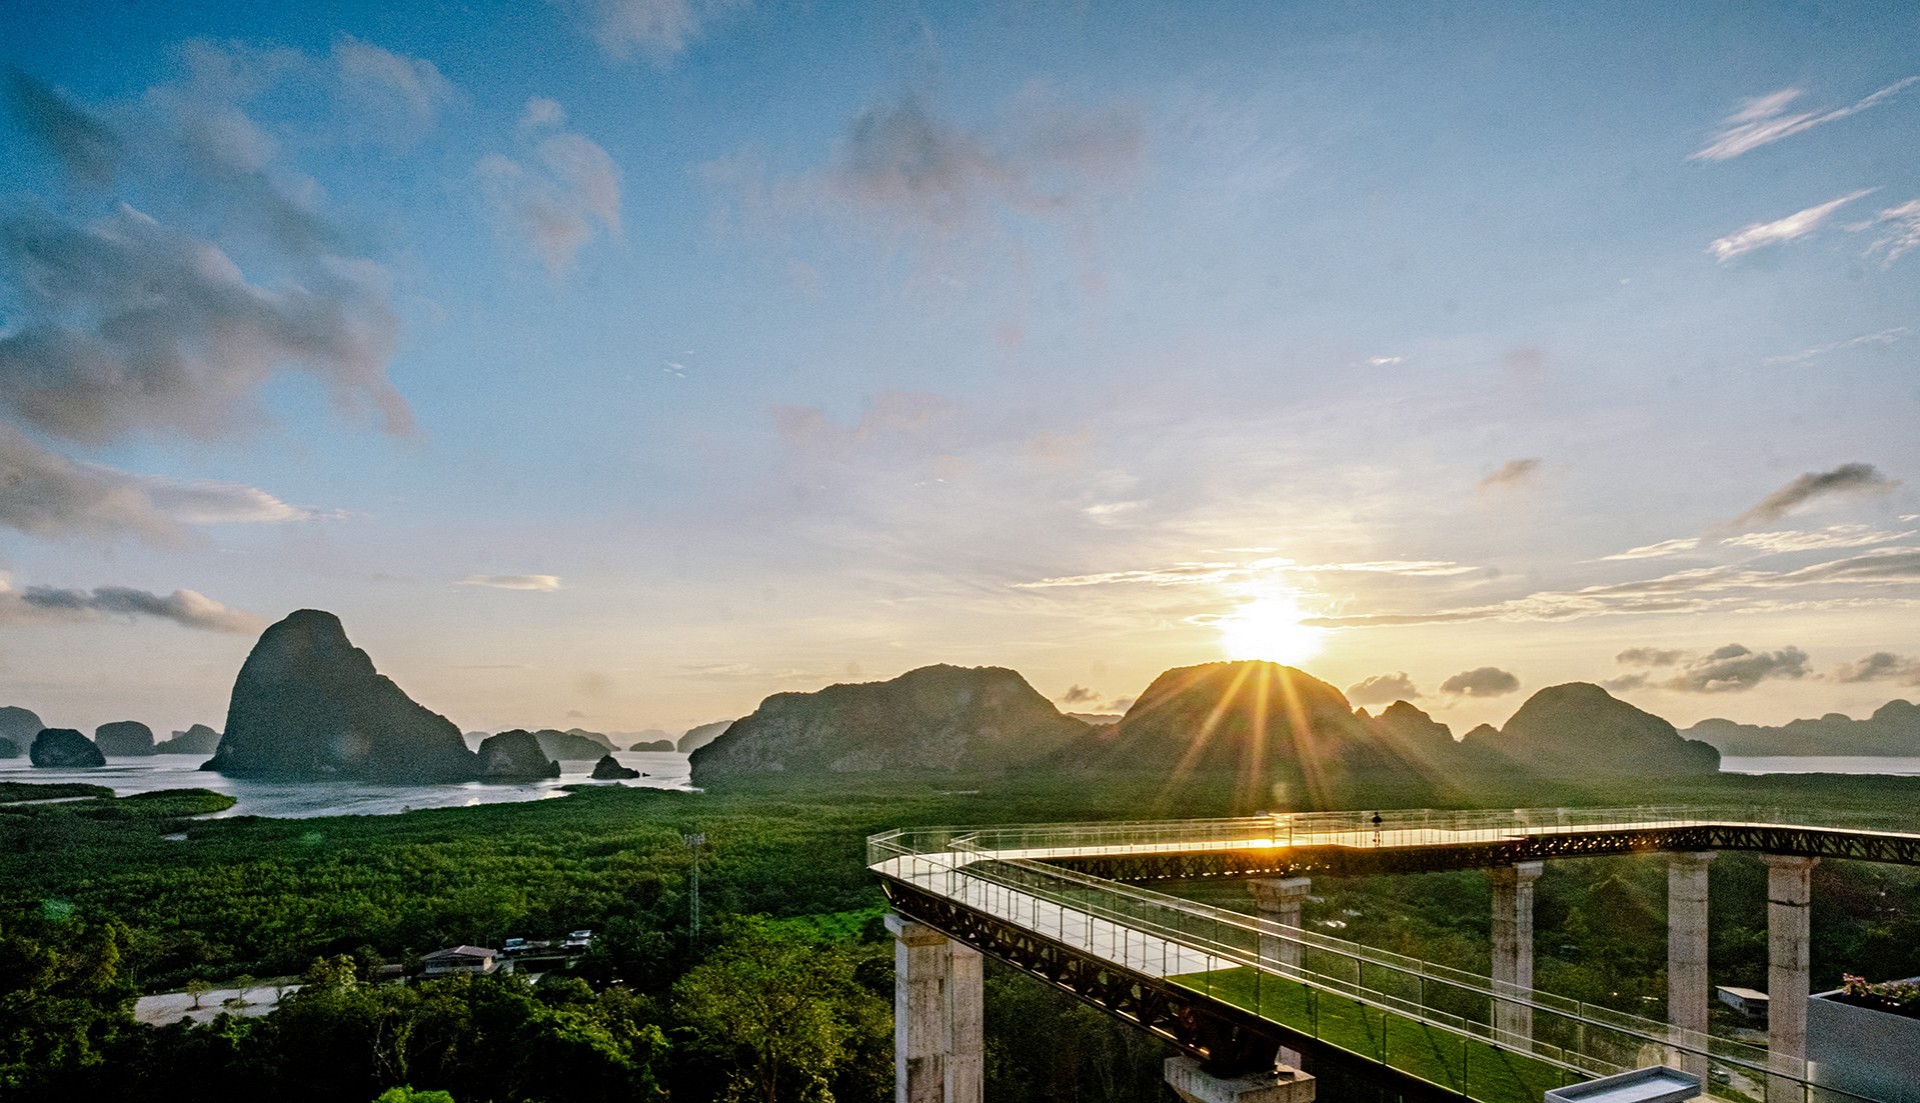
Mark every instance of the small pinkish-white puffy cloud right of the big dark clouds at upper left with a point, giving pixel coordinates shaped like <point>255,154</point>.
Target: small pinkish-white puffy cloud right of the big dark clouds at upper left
<point>560,197</point>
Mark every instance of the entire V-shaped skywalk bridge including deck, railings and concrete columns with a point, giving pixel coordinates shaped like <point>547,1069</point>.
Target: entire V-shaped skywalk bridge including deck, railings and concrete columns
<point>1067,904</point>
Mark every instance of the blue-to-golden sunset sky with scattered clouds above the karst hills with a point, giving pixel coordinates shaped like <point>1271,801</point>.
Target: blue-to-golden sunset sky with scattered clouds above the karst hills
<point>623,362</point>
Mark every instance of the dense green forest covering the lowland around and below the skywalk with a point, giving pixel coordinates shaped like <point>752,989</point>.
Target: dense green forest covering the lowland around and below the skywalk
<point>103,898</point>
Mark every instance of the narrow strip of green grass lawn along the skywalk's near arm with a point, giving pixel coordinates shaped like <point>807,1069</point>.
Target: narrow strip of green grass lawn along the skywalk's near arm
<point>1466,1066</point>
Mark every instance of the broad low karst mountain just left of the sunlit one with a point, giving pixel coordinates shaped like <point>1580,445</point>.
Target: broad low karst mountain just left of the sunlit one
<point>930,720</point>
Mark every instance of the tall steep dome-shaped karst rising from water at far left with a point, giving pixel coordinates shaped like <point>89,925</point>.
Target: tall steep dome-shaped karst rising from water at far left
<point>308,704</point>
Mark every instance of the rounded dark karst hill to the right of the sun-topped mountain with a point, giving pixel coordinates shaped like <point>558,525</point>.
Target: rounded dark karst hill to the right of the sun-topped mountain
<point>1581,729</point>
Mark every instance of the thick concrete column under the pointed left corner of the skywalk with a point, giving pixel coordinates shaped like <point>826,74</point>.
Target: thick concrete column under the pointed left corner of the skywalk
<point>938,1017</point>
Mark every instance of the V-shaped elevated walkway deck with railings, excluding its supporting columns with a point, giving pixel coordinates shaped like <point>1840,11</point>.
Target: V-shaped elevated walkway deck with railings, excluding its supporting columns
<point>1212,979</point>
